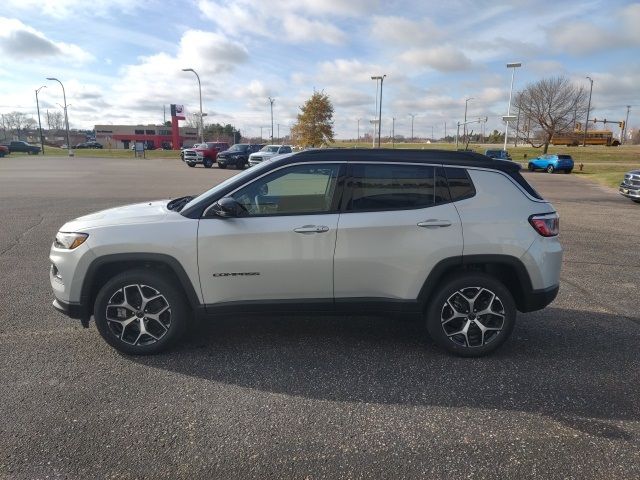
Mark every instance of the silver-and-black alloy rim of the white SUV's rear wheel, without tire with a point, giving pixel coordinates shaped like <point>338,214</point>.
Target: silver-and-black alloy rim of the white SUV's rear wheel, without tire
<point>472,317</point>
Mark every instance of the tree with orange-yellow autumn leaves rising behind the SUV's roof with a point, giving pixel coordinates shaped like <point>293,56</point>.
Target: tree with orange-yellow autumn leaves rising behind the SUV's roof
<point>314,126</point>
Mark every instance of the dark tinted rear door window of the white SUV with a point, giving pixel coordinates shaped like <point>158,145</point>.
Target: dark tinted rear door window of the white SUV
<point>391,187</point>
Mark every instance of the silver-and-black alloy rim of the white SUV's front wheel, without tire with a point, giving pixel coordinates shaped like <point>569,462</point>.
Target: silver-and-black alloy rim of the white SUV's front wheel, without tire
<point>138,314</point>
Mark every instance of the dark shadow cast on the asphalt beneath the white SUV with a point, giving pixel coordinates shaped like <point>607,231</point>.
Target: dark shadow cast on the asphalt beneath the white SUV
<point>579,368</point>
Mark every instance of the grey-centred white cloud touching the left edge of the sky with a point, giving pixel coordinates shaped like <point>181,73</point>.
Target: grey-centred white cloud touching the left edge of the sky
<point>23,42</point>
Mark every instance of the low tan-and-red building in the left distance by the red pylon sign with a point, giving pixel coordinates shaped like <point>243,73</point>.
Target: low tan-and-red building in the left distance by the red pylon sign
<point>154,136</point>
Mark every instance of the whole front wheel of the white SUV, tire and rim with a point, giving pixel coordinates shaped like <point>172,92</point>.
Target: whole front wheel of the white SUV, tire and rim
<point>140,312</point>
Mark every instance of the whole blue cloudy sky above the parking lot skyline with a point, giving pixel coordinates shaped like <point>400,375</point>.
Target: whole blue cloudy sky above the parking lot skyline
<point>121,60</point>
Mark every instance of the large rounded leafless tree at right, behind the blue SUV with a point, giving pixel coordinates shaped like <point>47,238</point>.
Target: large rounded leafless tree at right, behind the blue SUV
<point>547,107</point>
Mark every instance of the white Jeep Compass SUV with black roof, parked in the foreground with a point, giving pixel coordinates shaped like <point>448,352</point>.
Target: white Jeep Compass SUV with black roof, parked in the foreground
<point>455,237</point>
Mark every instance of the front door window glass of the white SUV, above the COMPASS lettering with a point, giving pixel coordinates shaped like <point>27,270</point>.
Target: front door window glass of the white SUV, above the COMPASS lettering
<point>299,189</point>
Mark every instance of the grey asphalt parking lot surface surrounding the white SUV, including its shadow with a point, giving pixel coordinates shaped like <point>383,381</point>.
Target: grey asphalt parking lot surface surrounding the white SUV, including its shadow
<point>319,397</point>
